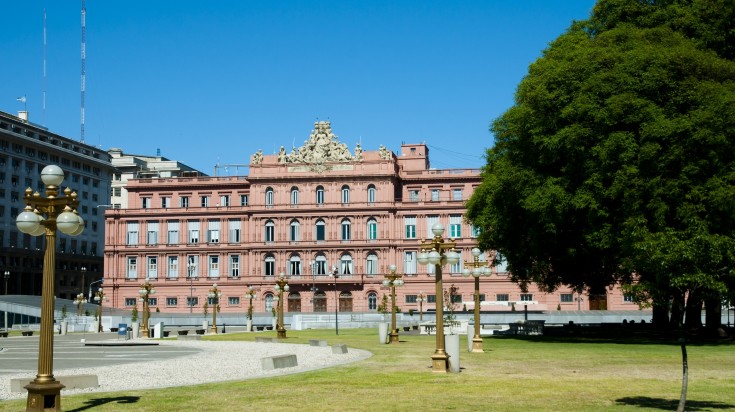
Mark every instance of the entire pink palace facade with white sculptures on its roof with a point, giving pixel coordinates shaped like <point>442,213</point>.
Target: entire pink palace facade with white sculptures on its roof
<point>317,211</point>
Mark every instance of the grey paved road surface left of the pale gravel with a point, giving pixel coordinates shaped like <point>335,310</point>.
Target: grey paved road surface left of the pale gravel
<point>20,354</point>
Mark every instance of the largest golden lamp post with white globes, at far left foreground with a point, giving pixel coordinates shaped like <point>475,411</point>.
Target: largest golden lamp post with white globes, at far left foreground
<point>43,216</point>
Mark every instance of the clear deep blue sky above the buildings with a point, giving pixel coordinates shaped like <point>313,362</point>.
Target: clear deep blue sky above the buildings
<point>211,82</point>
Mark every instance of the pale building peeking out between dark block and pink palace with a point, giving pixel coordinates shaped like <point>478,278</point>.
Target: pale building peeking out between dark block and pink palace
<point>132,166</point>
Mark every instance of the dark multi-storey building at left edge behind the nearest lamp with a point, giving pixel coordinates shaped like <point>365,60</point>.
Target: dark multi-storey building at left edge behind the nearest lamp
<point>25,149</point>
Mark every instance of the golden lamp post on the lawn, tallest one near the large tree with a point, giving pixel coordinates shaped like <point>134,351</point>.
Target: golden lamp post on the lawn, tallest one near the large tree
<point>438,252</point>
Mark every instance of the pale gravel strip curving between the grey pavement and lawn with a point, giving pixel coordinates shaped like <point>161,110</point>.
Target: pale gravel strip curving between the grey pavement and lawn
<point>217,361</point>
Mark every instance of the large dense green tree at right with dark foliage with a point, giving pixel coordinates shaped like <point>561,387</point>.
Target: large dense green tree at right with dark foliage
<point>617,161</point>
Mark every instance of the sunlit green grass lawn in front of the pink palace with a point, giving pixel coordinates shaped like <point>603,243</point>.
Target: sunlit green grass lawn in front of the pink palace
<point>534,374</point>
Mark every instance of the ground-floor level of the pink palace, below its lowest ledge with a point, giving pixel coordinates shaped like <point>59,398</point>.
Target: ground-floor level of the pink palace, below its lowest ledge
<point>352,293</point>
